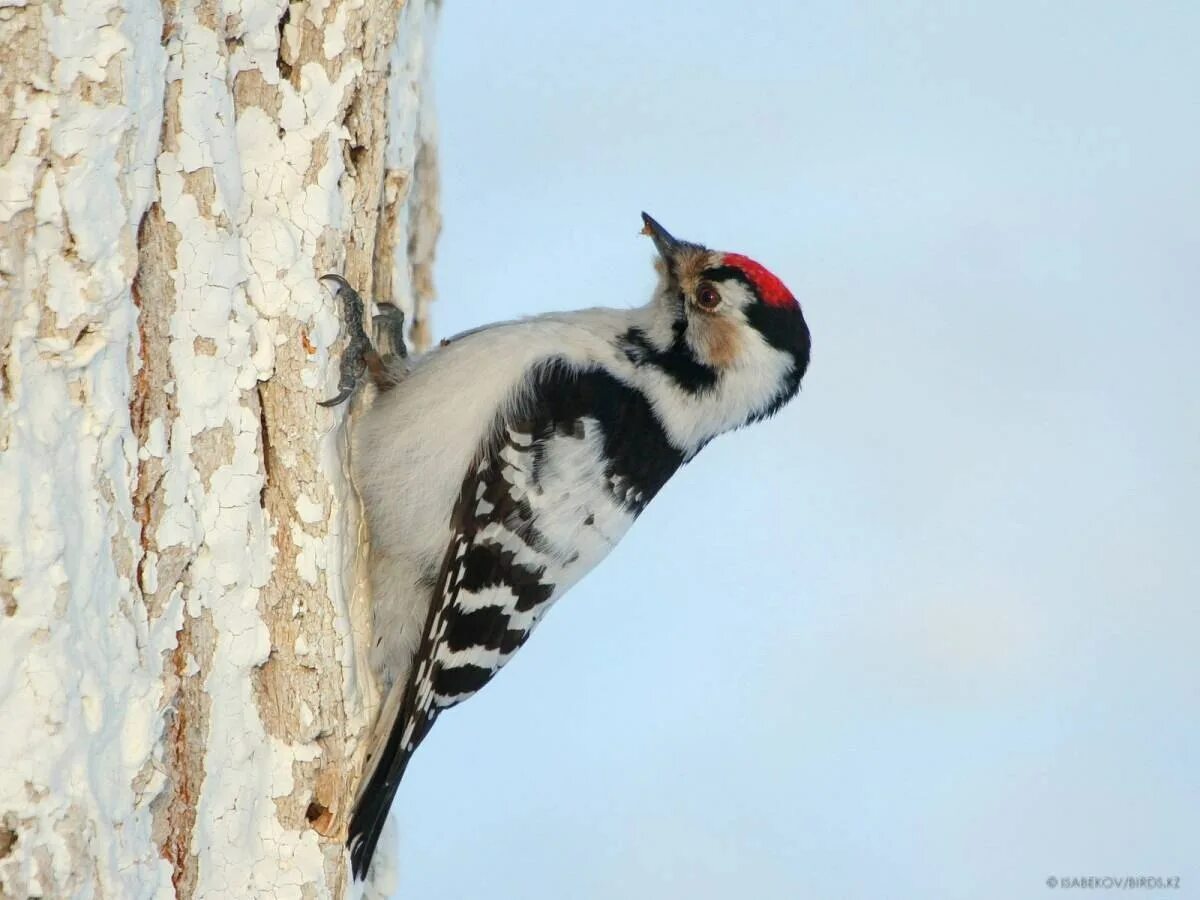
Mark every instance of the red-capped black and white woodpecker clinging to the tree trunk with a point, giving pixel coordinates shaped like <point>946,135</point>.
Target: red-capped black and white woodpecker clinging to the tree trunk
<point>501,467</point>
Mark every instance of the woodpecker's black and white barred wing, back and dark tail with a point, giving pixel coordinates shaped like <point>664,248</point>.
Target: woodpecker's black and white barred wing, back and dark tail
<point>553,491</point>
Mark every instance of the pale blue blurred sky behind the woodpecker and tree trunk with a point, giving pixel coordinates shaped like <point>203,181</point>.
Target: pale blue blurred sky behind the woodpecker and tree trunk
<point>933,633</point>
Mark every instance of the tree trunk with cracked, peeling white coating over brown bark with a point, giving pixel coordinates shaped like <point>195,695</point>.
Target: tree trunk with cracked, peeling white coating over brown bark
<point>182,685</point>
